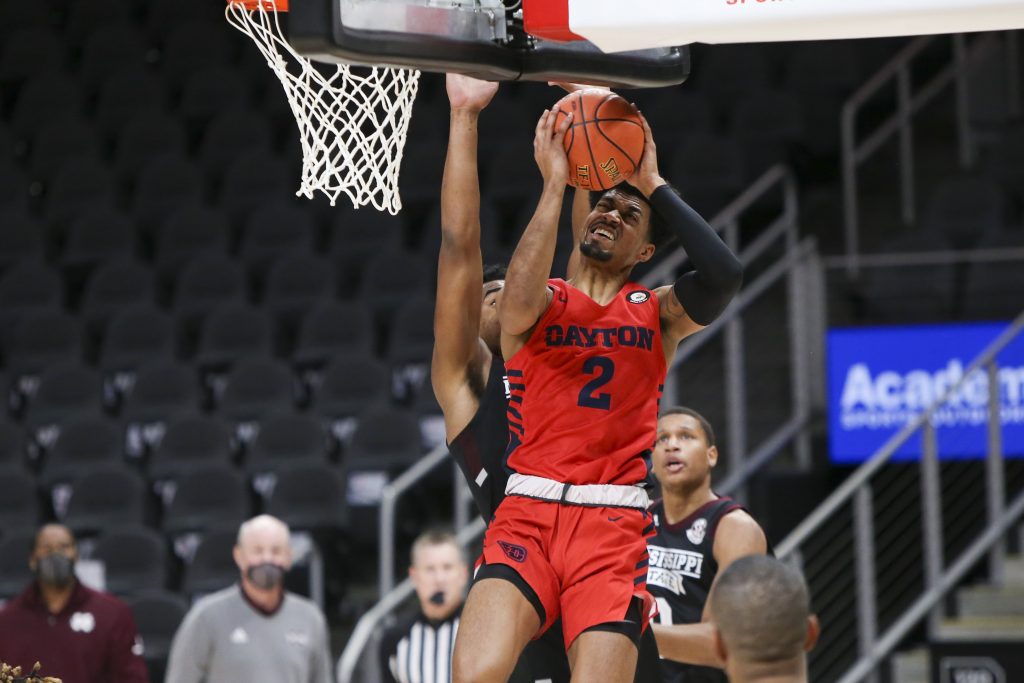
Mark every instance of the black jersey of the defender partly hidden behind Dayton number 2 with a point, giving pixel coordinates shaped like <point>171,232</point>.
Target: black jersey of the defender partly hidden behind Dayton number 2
<point>480,448</point>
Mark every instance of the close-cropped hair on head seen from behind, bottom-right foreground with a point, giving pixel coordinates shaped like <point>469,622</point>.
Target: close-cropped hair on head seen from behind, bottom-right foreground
<point>760,607</point>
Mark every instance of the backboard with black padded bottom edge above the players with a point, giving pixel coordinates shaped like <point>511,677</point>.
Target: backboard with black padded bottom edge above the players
<point>482,38</point>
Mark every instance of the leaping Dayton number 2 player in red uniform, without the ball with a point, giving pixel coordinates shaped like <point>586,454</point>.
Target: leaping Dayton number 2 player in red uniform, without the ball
<point>586,362</point>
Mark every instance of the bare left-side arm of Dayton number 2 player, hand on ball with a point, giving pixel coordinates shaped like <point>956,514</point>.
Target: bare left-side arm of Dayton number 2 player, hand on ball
<point>527,296</point>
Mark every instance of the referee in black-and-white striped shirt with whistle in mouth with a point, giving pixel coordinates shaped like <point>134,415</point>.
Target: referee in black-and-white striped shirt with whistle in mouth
<point>419,648</point>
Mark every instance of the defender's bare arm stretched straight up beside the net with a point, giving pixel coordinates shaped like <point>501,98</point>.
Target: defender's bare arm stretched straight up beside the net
<point>460,269</point>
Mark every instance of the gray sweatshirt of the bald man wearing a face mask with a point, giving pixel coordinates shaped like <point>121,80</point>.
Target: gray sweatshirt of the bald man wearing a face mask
<point>227,639</point>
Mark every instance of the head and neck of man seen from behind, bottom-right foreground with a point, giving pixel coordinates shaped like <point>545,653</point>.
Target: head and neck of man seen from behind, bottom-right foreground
<point>764,627</point>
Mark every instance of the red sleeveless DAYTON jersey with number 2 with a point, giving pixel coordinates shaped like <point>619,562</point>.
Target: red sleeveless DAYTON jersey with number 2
<point>584,391</point>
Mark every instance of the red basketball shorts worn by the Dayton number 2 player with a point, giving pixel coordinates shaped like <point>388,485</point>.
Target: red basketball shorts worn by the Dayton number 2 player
<point>586,565</point>
